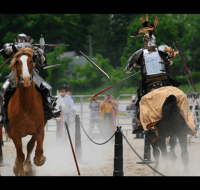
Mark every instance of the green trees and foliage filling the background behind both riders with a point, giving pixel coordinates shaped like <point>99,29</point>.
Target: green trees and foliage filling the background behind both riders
<point>111,43</point>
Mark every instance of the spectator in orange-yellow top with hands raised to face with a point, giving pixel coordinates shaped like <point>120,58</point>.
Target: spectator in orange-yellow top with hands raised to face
<point>108,112</point>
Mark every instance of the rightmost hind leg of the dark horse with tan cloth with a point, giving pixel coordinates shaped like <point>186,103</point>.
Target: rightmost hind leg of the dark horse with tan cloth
<point>184,153</point>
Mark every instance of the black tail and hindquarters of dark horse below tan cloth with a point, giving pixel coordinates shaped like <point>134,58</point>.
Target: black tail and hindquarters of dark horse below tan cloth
<point>172,121</point>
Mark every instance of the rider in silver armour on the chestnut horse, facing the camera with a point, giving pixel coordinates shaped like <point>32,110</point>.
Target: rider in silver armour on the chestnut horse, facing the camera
<point>7,89</point>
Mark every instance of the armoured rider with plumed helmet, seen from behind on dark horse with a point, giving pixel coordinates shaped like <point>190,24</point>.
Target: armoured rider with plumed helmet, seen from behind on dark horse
<point>154,63</point>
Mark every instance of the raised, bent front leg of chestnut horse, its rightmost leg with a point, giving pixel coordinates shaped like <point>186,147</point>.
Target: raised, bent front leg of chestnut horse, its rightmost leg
<point>39,158</point>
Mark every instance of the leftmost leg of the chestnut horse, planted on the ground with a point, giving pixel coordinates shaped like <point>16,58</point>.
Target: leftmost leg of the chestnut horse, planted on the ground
<point>18,168</point>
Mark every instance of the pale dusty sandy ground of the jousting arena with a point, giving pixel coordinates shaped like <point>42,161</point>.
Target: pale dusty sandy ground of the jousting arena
<point>97,160</point>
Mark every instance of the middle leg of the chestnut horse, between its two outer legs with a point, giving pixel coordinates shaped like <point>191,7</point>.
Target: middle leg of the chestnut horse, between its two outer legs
<point>27,163</point>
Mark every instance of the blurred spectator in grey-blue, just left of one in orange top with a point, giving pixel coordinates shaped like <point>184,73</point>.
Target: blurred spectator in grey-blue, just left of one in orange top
<point>94,116</point>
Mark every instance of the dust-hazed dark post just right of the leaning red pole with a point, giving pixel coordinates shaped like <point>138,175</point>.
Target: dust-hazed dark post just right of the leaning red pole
<point>78,149</point>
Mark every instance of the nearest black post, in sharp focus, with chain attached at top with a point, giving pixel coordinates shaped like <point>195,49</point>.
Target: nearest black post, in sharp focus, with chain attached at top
<point>118,153</point>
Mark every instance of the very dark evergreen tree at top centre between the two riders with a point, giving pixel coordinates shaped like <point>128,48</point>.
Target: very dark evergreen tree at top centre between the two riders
<point>109,33</point>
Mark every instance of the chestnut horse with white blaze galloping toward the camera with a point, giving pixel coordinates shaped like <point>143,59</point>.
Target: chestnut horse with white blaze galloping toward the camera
<point>25,113</point>
